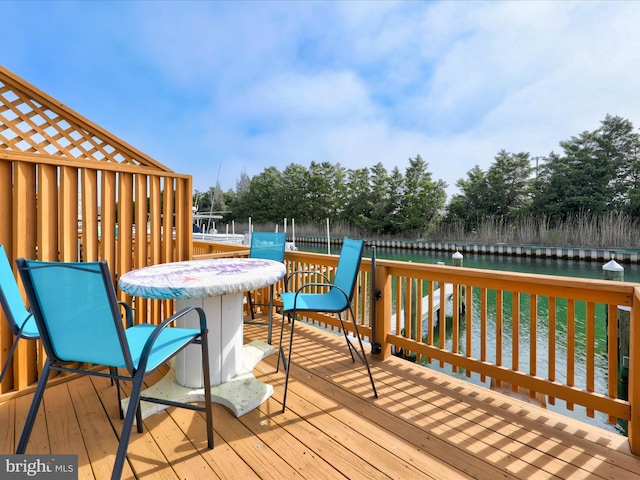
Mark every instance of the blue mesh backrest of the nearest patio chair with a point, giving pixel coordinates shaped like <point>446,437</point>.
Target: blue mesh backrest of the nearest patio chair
<point>76,310</point>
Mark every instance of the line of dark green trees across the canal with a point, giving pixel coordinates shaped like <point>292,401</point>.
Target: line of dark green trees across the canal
<point>595,173</point>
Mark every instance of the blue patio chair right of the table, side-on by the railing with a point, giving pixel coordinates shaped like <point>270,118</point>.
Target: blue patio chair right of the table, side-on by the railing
<point>327,297</point>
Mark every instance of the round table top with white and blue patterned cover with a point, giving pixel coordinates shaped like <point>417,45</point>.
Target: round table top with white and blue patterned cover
<point>201,278</point>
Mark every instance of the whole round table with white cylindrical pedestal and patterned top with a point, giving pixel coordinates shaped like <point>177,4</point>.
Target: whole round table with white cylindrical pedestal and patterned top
<point>217,286</point>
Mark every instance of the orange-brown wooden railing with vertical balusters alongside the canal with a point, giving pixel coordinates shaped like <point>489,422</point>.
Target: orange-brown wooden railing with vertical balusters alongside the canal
<point>549,336</point>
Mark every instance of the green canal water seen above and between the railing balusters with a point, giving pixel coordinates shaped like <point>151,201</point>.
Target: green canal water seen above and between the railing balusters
<point>545,266</point>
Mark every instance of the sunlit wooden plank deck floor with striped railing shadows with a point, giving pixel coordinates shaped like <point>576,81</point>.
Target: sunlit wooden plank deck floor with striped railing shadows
<point>424,425</point>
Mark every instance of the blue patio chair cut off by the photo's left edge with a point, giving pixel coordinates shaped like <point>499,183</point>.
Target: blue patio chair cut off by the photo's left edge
<point>20,320</point>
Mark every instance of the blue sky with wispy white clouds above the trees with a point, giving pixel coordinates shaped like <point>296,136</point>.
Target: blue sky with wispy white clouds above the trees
<point>218,89</point>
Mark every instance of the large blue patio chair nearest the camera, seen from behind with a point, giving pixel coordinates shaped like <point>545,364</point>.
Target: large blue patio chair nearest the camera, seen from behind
<point>80,321</point>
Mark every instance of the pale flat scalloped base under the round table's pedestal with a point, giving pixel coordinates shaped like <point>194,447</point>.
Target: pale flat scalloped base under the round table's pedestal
<point>241,394</point>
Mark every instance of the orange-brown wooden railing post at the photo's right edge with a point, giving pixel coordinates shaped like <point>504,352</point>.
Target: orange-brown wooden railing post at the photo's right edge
<point>634,375</point>
